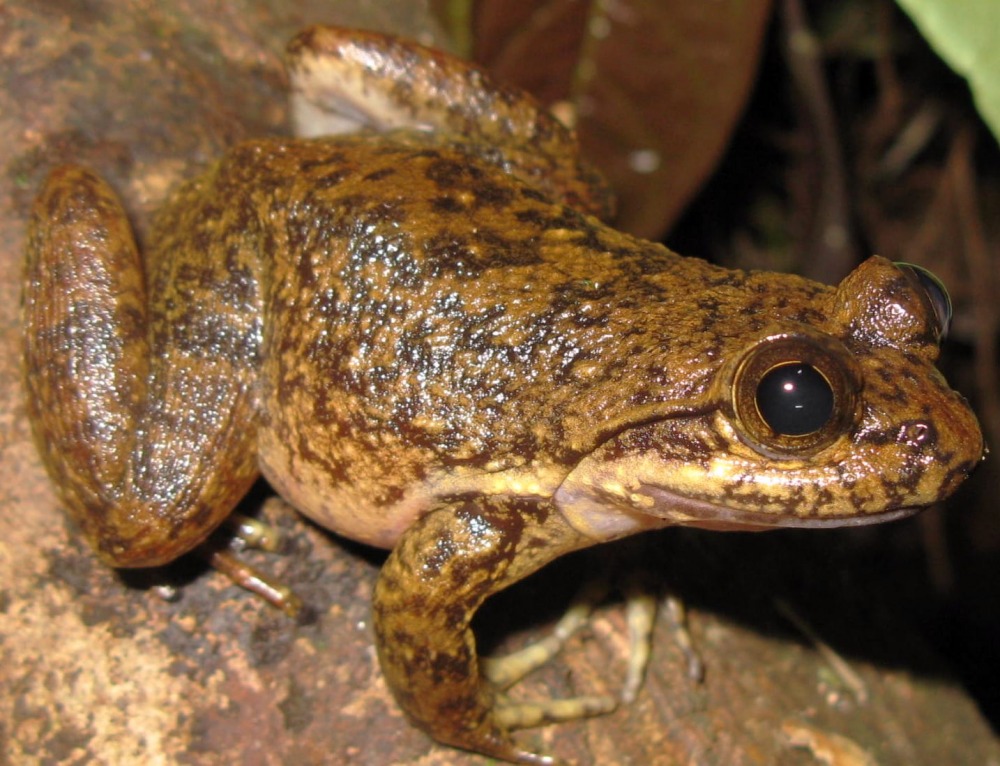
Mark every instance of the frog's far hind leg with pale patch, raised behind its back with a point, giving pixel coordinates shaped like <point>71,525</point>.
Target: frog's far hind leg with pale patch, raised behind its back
<point>349,80</point>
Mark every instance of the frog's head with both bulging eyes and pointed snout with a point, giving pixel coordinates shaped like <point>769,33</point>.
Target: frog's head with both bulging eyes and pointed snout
<point>845,421</point>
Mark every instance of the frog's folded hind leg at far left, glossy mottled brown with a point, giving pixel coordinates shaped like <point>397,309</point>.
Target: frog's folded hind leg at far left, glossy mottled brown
<point>142,427</point>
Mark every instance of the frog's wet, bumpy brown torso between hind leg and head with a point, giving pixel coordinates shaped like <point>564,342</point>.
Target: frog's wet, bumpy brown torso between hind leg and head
<point>433,324</point>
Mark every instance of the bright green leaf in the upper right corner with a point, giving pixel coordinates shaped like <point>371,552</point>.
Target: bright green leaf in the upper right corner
<point>966,34</point>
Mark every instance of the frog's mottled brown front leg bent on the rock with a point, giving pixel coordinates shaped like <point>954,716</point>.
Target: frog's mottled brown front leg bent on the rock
<point>441,571</point>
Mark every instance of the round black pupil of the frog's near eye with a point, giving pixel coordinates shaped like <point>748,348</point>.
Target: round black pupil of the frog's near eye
<point>794,399</point>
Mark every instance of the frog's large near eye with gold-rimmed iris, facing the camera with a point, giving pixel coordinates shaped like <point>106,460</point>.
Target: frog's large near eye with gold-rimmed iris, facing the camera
<point>794,394</point>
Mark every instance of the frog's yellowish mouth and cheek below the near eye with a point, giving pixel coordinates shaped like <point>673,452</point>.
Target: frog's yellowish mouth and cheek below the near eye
<point>696,472</point>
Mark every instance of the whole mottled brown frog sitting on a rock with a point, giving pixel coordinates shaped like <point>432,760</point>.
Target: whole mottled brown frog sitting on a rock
<point>416,322</point>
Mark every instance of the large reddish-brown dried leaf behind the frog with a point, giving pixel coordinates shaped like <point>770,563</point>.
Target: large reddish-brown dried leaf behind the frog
<point>657,85</point>
